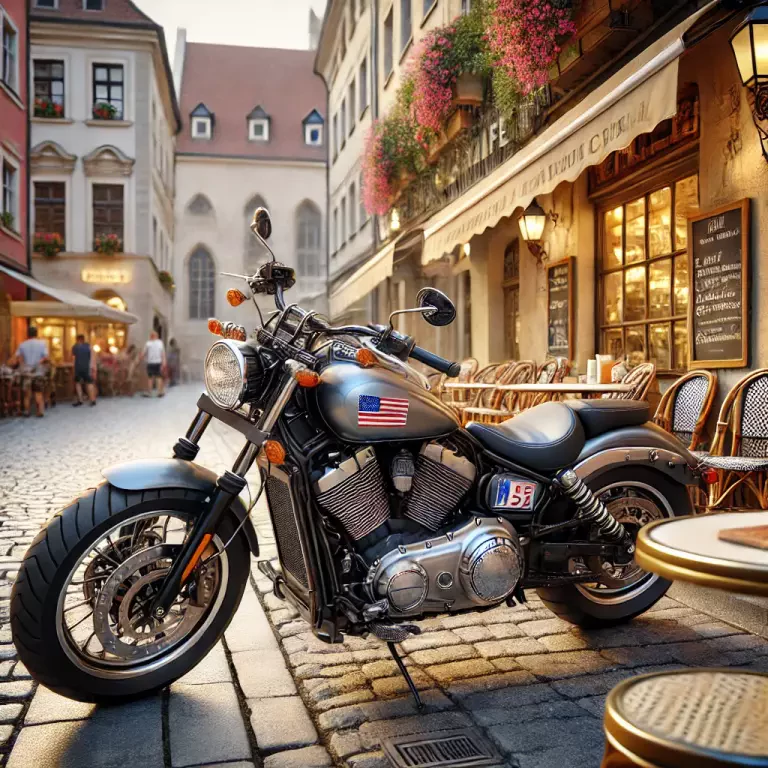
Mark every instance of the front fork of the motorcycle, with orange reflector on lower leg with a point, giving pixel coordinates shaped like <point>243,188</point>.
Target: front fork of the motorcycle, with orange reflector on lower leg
<point>228,487</point>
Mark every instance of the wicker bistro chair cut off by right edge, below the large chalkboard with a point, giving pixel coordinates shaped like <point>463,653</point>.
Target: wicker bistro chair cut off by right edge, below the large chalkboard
<point>742,475</point>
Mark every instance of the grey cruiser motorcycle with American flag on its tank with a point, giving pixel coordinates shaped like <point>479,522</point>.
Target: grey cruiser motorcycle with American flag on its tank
<point>385,509</point>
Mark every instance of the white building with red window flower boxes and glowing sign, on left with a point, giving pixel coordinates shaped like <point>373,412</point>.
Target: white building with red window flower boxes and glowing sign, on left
<point>104,120</point>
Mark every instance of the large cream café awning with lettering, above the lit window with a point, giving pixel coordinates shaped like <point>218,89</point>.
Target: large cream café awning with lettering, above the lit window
<point>632,102</point>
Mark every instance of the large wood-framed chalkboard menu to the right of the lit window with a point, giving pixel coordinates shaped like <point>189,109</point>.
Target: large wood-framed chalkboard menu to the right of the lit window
<point>718,260</point>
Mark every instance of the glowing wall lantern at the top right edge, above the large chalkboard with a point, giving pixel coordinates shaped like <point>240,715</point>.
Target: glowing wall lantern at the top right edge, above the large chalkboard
<point>750,47</point>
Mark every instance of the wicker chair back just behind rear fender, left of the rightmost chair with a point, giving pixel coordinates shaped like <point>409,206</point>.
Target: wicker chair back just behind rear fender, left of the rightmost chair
<point>685,407</point>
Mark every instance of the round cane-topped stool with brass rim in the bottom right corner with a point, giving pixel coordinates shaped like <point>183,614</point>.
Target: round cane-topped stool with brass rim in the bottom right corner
<point>691,718</point>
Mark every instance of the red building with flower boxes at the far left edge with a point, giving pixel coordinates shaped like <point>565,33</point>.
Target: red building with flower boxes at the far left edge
<point>14,148</point>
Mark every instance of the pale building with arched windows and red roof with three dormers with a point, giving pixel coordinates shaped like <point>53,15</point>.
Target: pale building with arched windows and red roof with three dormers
<point>263,143</point>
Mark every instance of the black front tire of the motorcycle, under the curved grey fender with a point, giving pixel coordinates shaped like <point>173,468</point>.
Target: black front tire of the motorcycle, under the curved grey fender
<point>47,570</point>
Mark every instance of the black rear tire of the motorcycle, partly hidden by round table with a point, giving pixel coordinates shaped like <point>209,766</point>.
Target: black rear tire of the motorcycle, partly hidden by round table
<point>590,606</point>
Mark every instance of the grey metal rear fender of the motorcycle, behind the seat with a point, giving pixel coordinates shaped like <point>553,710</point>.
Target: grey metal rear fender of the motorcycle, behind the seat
<point>647,445</point>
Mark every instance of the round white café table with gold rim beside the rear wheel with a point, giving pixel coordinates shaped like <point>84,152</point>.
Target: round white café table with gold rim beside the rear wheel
<point>690,549</point>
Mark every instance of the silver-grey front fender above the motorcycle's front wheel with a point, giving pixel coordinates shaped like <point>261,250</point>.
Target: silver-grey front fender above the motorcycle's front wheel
<point>154,474</point>
